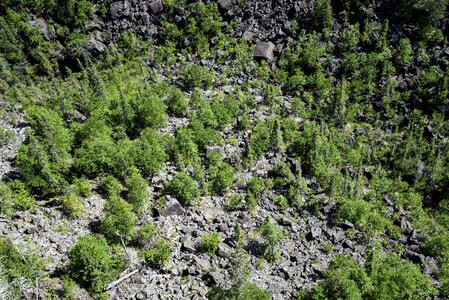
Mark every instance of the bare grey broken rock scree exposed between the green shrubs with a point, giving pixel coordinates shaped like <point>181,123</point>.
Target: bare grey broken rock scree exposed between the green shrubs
<point>313,237</point>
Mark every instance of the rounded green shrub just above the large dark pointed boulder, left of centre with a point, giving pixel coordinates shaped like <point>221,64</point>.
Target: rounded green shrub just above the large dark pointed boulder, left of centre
<point>183,188</point>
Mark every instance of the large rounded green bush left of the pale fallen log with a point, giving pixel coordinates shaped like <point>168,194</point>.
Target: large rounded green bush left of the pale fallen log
<point>91,265</point>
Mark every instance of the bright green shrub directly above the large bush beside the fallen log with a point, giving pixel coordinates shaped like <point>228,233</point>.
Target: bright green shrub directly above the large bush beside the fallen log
<point>119,221</point>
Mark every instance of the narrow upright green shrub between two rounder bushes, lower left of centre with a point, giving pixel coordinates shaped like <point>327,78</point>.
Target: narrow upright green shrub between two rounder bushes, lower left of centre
<point>137,190</point>
